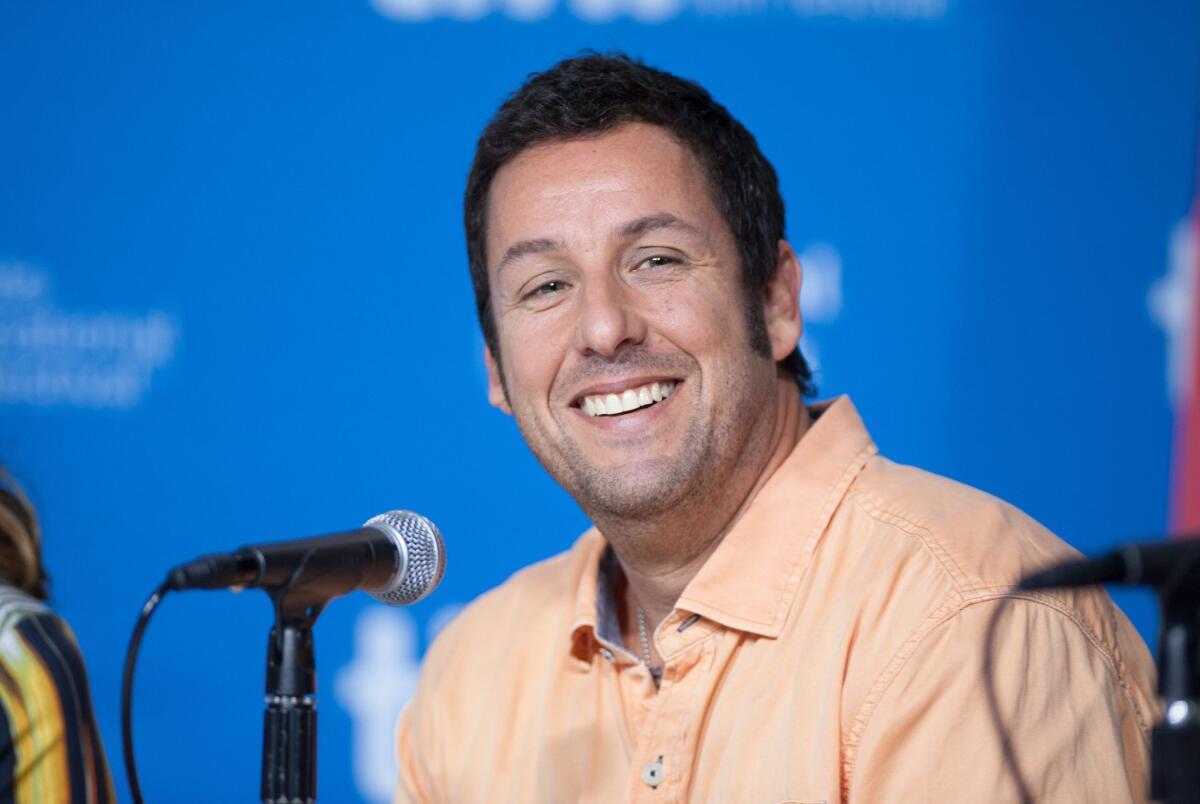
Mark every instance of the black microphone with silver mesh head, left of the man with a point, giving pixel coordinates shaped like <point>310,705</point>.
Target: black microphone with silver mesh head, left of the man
<point>399,557</point>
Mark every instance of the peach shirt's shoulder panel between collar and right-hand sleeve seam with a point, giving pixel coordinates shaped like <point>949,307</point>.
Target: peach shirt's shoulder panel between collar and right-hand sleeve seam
<point>982,542</point>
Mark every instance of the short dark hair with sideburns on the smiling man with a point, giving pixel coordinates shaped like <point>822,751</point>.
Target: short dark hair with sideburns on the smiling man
<point>595,94</point>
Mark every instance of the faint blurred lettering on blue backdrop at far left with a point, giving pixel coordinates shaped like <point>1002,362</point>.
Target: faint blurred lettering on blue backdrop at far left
<point>58,358</point>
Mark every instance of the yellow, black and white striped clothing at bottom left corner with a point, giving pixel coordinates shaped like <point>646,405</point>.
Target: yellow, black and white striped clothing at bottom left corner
<point>50,748</point>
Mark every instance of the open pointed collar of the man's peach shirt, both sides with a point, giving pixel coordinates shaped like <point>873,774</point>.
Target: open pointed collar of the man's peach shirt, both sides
<point>751,581</point>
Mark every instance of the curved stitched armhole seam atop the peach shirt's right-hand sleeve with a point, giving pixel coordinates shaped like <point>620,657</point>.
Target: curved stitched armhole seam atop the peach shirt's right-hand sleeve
<point>945,614</point>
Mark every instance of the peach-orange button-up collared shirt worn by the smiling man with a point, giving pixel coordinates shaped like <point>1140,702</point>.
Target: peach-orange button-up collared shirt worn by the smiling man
<point>829,651</point>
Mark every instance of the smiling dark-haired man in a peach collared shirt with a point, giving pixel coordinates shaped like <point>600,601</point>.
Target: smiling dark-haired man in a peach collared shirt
<point>766,610</point>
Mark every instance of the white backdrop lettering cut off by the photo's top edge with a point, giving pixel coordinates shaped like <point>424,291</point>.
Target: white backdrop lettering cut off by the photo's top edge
<point>657,11</point>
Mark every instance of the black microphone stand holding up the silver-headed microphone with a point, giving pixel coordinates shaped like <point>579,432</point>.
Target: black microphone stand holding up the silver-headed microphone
<point>290,724</point>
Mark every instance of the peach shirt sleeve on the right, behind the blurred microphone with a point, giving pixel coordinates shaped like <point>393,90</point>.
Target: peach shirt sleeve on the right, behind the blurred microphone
<point>1077,733</point>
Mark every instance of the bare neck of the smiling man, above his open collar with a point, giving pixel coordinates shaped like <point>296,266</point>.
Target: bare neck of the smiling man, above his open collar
<point>656,580</point>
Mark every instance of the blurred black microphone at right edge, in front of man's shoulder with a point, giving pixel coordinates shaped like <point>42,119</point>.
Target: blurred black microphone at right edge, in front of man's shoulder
<point>1162,565</point>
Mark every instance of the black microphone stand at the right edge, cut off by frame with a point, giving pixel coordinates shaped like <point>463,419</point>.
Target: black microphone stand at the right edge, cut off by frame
<point>1175,742</point>
